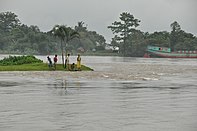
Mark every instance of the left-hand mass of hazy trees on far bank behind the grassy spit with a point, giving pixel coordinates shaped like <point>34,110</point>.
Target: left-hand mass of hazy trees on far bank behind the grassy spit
<point>22,39</point>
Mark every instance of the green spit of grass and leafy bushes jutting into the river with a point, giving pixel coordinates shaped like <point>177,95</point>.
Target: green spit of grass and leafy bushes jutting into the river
<point>31,63</point>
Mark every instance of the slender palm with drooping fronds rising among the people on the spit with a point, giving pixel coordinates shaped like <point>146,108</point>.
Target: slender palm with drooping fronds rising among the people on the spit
<point>65,34</point>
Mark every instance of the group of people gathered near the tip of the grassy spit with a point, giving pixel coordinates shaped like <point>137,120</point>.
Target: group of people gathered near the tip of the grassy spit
<point>68,66</point>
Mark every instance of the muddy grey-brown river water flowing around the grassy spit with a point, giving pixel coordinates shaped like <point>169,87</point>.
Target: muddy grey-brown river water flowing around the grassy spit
<point>121,94</point>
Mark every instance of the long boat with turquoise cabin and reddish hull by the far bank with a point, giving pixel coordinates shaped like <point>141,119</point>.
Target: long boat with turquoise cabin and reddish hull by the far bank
<point>164,52</point>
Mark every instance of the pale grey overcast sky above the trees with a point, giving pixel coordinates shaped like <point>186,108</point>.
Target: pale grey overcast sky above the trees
<point>155,15</point>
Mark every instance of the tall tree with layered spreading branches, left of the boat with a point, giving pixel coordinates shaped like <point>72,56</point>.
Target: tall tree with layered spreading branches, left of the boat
<point>126,30</point>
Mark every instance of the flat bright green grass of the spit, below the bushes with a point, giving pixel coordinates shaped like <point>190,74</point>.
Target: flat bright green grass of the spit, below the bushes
<point>37,67</point>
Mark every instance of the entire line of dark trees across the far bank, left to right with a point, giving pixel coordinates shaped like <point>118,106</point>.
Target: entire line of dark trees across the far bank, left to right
<point>16,37</point>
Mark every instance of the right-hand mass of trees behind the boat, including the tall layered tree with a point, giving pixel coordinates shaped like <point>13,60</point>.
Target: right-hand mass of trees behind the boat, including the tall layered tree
<point>133,42</point>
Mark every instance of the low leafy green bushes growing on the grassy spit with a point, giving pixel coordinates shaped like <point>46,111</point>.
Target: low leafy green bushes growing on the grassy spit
<point>19,60</point>
